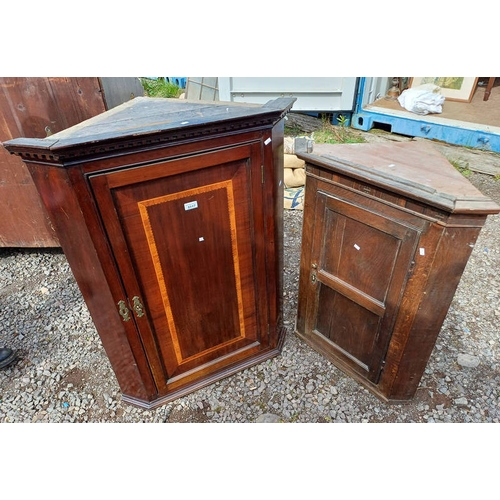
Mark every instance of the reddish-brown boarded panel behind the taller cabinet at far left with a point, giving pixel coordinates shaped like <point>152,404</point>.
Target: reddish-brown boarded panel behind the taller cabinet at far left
<point>36,107</point>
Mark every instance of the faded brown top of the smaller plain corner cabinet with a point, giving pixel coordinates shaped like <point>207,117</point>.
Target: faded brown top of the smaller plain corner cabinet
<point>415,169</point>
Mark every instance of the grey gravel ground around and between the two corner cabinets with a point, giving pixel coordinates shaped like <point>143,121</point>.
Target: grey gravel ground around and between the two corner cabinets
<point>63,374</point>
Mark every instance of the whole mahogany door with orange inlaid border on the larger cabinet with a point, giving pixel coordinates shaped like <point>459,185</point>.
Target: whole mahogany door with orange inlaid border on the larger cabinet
<point>184,234</point>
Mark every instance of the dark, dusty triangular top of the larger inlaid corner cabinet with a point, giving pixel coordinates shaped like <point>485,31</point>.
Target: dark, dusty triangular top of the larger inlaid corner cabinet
<point>145,116</point>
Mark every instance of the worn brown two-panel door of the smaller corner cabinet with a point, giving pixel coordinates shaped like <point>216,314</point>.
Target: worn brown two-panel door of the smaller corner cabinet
<point>360,261</point>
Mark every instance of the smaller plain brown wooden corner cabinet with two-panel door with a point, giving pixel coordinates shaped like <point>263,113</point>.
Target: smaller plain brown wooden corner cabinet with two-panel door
<point>388,229</point>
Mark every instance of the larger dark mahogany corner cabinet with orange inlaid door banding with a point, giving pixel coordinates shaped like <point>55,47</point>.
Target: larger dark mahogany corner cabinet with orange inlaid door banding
<point>170,213</point>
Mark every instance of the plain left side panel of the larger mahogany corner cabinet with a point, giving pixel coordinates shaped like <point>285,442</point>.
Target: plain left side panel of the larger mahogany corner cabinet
<point>62,205</point>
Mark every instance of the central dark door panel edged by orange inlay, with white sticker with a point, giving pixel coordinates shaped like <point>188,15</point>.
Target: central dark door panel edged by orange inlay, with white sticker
<point>195,255</point>
